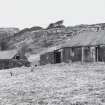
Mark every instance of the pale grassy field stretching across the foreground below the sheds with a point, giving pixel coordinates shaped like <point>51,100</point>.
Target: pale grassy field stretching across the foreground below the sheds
<point>61,84</point>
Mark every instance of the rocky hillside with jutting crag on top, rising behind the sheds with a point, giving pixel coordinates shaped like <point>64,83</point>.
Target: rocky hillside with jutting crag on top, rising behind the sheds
<point>36,39</point>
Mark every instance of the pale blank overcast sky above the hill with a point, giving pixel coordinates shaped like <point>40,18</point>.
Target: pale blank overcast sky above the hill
<point>28,13</point>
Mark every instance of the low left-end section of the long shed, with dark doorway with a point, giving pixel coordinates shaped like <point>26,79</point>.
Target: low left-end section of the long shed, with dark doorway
<point>51,55</point>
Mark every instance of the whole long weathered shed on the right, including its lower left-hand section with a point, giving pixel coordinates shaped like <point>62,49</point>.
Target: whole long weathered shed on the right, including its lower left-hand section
<point>84,47</point>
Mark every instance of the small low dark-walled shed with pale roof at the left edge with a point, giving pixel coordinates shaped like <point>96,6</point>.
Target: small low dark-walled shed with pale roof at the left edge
<point>12,58</point>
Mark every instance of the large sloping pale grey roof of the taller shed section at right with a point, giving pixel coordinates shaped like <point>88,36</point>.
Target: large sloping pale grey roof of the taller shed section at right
<point>86,39</point>
